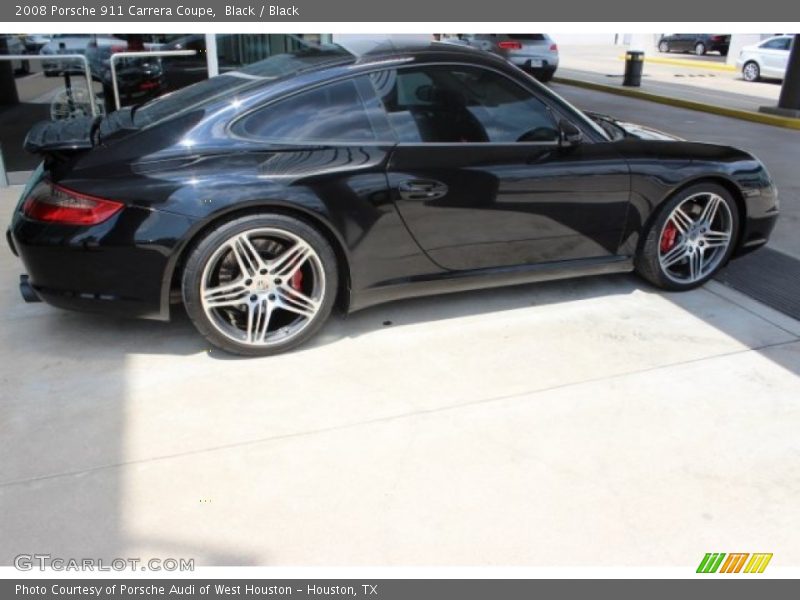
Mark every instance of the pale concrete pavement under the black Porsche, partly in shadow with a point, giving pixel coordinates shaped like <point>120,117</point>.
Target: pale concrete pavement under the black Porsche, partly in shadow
<point>586,422</point>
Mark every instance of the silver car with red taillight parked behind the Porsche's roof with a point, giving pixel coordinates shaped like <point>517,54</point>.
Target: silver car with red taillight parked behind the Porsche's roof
<point>536,53</point>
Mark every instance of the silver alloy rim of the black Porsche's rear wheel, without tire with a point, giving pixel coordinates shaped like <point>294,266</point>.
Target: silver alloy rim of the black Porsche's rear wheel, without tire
<point>263,286</point>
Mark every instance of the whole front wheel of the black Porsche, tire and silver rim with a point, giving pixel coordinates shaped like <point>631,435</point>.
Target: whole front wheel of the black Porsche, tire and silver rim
<point>691,238</point>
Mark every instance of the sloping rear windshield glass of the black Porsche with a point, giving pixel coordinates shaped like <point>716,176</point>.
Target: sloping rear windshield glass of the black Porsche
<point>275,67</point>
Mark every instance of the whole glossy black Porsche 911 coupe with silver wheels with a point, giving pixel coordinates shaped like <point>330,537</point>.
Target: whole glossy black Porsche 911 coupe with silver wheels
<point>263,198</point>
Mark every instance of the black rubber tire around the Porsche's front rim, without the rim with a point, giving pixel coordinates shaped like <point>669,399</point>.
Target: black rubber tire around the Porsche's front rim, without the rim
<point>647,259</point>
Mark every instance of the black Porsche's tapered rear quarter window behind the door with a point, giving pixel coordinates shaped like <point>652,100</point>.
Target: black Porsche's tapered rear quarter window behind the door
<point>330,113</point>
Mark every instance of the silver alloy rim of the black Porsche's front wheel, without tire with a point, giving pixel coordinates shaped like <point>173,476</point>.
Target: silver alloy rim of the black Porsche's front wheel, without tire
<point>695,238</point>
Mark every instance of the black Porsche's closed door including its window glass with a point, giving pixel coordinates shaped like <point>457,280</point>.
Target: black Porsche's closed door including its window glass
<point>480,178</point>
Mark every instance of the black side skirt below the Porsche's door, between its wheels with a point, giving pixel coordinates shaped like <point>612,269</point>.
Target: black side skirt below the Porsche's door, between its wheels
<point>459,281</point>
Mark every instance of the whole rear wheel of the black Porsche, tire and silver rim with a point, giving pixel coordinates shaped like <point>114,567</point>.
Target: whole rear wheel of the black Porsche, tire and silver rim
<point>260,284</point>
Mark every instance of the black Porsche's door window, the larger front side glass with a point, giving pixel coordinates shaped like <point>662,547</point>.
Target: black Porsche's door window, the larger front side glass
<point>451,104</point>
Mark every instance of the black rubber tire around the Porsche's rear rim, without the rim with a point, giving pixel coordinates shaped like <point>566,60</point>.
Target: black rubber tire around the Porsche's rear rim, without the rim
<point>203,250</point>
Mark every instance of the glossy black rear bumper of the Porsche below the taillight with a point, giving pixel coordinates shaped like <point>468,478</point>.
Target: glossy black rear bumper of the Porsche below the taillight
<point>119,266</point>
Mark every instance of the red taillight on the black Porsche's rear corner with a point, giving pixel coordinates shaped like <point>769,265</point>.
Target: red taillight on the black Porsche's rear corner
<point>56,204</point>
